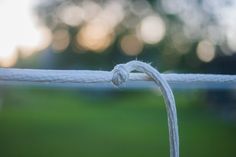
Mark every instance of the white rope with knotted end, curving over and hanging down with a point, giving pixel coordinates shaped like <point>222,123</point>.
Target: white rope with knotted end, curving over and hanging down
<point>121,75</point>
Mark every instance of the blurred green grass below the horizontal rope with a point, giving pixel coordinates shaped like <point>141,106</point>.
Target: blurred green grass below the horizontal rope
<point>64,123</point>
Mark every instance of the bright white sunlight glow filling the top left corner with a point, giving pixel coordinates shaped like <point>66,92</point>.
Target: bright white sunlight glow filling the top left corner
<point>18,31</point>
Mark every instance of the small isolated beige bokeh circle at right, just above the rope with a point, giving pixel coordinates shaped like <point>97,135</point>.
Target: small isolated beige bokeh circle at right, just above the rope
<point>205,51</point>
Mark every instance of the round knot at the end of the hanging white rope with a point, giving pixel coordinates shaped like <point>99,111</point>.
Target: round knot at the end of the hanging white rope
<point>120,75</point>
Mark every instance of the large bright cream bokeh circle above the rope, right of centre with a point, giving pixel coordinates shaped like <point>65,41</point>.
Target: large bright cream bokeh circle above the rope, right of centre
<point>152,29</point>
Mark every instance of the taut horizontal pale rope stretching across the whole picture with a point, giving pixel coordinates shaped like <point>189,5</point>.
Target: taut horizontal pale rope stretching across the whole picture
<point>89,78</point>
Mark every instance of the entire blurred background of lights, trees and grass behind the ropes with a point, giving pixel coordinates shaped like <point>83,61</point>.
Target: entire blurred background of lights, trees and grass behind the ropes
<point>178,36</point>
